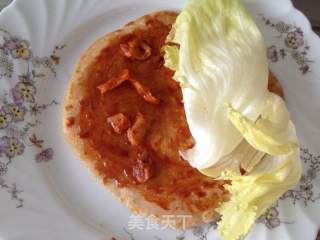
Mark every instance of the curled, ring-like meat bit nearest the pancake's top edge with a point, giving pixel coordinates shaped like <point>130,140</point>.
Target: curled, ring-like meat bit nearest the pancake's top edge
<point>136,49</point>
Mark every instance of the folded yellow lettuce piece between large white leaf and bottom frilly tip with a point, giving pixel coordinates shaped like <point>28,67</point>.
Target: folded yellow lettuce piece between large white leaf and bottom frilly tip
<point>273,133</point>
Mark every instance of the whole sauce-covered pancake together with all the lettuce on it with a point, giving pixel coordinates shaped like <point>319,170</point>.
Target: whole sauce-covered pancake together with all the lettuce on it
<point>177,114</point>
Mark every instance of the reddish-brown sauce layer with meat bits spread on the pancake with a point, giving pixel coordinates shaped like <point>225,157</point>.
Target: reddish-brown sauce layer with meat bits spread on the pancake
<point>133,124</point>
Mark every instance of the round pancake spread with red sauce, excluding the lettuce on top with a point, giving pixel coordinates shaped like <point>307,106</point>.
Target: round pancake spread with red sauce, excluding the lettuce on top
<point>125,119</point>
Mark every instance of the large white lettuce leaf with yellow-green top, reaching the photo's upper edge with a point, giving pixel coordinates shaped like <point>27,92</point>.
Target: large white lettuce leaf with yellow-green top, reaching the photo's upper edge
<point>221,58</point>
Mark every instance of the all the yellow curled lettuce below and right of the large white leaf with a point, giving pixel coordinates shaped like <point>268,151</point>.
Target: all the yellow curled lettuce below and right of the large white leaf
<point>267,176</point>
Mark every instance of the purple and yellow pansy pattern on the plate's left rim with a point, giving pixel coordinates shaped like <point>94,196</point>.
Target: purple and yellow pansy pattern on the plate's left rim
<point>19,108</point>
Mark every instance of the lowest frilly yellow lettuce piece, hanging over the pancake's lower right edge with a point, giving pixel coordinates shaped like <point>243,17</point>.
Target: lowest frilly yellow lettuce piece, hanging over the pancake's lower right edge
<point>252,194</point>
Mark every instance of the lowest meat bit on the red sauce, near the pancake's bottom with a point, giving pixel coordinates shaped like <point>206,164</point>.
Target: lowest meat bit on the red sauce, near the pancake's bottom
<point>144,168</point>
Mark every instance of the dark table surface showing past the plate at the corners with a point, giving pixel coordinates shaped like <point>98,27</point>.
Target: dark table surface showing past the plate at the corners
<point>311,8</point>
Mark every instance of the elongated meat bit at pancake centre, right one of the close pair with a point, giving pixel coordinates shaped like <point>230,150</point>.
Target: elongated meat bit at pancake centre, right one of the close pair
<point>136,133</point>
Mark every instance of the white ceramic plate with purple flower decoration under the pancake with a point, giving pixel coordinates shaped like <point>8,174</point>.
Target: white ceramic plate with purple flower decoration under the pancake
<point>45,192</point>
